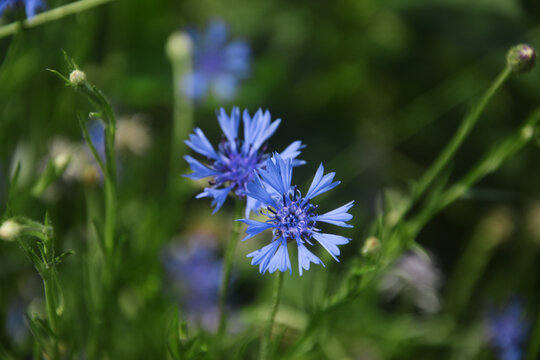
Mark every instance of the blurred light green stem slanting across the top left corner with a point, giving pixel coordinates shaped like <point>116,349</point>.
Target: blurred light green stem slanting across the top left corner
<point>51,15</point>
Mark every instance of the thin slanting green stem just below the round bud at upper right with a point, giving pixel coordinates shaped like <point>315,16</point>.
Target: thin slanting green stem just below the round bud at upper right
<point>461,134</point>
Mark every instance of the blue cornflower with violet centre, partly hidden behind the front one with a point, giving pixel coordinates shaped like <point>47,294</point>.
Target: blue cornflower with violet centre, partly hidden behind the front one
<point>236,161</point>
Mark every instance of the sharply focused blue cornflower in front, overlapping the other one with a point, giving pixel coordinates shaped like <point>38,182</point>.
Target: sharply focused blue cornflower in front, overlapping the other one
<point>292,217</point>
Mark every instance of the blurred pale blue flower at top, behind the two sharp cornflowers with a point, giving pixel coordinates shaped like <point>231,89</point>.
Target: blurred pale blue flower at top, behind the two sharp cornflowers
<point>218,64</point>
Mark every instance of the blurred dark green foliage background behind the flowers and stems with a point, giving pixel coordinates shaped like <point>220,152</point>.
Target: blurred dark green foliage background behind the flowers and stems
<point>374,88</point>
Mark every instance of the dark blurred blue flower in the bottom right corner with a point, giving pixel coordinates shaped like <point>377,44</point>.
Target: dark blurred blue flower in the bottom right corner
<point>507,330</point>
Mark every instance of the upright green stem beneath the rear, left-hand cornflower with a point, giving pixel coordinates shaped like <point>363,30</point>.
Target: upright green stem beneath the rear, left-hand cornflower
<point>227,267</point>
